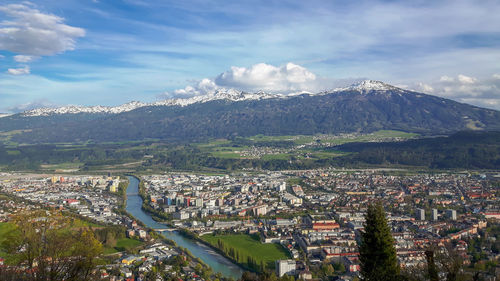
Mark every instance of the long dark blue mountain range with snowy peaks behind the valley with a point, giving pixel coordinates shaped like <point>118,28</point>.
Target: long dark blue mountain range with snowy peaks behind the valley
<point>364,107</point>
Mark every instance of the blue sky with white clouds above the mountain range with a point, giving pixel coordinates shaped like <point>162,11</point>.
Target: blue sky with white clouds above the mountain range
<point>110,52</point>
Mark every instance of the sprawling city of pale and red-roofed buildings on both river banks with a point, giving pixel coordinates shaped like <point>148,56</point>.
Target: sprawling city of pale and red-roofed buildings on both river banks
<point>312,216</point>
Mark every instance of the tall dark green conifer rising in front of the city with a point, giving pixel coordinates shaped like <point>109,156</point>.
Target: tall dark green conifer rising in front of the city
<point>377,254</point>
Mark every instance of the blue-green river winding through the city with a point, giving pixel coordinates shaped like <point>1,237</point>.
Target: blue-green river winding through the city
<point>217,262</point>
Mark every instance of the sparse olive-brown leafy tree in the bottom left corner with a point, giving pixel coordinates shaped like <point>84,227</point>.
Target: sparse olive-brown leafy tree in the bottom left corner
<point>49,249</point>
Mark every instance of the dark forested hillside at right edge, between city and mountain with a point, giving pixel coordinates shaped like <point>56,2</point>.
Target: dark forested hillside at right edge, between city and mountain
<point>473,150</point>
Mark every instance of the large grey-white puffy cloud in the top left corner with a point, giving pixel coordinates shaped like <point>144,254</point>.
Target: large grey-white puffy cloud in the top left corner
<point>31,32</point>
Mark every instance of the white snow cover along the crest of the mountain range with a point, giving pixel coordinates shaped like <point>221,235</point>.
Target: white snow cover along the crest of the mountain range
<point>219,94</point>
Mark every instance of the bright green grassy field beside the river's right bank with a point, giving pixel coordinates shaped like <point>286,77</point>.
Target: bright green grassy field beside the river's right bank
<point>250,246</point>
